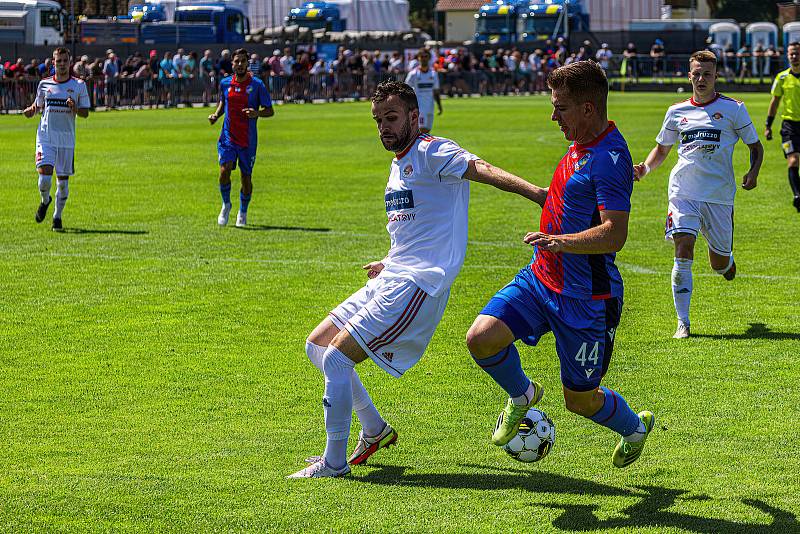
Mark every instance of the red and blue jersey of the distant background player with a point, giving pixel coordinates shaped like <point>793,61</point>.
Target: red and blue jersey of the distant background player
<point>237,129</point>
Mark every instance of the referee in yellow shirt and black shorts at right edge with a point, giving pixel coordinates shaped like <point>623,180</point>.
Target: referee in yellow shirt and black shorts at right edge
<point>787,87</point>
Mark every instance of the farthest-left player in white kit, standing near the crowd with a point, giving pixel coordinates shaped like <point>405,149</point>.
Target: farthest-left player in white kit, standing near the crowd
<point>59,99</point>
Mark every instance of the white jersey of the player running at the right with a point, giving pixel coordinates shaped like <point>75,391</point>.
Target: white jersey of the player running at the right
<point>707,135</point>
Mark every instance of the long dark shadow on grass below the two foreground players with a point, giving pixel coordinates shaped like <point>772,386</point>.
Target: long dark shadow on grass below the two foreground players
<point>651,510</point>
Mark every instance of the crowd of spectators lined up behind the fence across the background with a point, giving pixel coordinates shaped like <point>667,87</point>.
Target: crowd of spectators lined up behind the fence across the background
<point>181,77</point>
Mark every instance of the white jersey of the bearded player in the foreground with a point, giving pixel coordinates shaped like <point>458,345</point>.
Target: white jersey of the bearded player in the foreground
<point>426,204</point>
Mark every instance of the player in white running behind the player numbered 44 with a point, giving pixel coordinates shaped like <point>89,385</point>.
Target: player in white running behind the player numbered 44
<point>702,184</point>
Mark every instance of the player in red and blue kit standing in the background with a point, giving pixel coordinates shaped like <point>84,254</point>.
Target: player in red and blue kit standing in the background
<point>242,99</point>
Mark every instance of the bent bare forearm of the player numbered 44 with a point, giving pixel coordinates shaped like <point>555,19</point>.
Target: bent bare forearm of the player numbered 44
<point>606,238</point>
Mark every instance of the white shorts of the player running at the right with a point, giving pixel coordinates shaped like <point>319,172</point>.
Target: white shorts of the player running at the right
<point>714,221</point>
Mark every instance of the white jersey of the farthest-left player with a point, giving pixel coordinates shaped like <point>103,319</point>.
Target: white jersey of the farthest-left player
<point>57,125</point>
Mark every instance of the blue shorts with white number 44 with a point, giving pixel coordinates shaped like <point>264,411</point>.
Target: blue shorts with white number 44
<point>584,329</point>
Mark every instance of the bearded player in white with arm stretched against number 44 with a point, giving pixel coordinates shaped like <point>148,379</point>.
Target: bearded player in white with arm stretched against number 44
<point>392,318</point>
